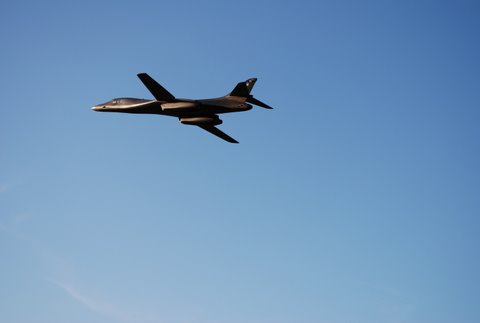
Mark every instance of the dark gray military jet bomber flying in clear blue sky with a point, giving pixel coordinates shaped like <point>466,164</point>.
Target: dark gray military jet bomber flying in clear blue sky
<point>202,113</point>
